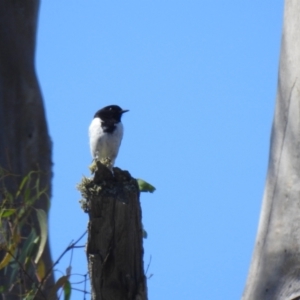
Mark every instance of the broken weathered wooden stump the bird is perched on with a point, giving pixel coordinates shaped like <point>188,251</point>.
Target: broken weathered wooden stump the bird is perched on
<point>115,237</point>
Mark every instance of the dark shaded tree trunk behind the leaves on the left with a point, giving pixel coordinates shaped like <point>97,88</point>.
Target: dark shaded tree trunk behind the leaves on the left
<point>24,141</point>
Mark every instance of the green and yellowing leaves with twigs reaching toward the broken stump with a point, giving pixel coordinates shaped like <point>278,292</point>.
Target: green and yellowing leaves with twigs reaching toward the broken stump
<point>23,254</point>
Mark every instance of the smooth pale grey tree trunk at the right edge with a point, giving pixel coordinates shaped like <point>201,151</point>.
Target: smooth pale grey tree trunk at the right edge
<point>275,269</point>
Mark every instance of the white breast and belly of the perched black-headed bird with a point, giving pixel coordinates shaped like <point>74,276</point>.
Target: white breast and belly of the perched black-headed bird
<point>104,145</point>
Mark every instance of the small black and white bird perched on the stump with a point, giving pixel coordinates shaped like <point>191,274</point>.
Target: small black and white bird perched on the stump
<point>106,132</point>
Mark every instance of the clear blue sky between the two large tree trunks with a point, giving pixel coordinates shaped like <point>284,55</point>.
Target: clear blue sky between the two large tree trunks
<point>199,79</point>
